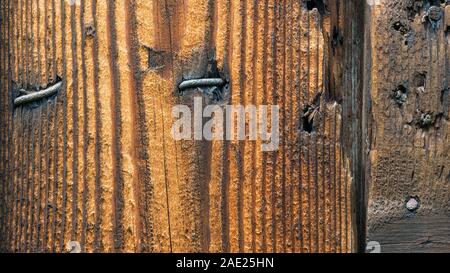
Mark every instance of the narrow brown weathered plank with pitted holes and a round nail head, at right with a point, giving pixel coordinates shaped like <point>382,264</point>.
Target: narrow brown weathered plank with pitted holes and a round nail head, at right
<point>409,126</point>
